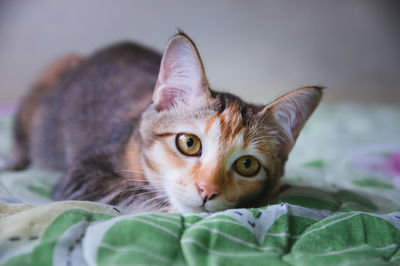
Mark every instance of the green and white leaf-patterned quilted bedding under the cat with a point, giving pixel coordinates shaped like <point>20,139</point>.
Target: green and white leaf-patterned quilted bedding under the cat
<point>343,208</point>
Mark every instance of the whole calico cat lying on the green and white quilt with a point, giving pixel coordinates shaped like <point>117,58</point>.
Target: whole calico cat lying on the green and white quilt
<point>131,128</point>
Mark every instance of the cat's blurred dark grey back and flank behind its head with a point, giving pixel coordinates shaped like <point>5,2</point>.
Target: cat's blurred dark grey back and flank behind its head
<point>97,104</point>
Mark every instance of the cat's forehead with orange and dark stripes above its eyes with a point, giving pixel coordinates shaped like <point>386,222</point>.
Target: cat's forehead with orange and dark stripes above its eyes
<point>225,115</point>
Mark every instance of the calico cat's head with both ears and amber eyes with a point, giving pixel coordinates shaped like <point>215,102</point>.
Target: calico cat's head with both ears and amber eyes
<point>212,151</point>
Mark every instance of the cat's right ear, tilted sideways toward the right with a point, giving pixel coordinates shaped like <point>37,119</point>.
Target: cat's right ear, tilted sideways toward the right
<point>291,111</point>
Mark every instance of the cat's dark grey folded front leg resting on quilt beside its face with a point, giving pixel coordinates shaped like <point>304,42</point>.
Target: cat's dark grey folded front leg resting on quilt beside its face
<point>94,177</point>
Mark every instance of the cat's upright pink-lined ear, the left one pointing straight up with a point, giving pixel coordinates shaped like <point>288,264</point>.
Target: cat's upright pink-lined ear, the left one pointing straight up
<point>181,78</point>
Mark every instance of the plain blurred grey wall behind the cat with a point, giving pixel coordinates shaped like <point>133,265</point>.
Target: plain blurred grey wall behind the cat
<point>257,49</point>
